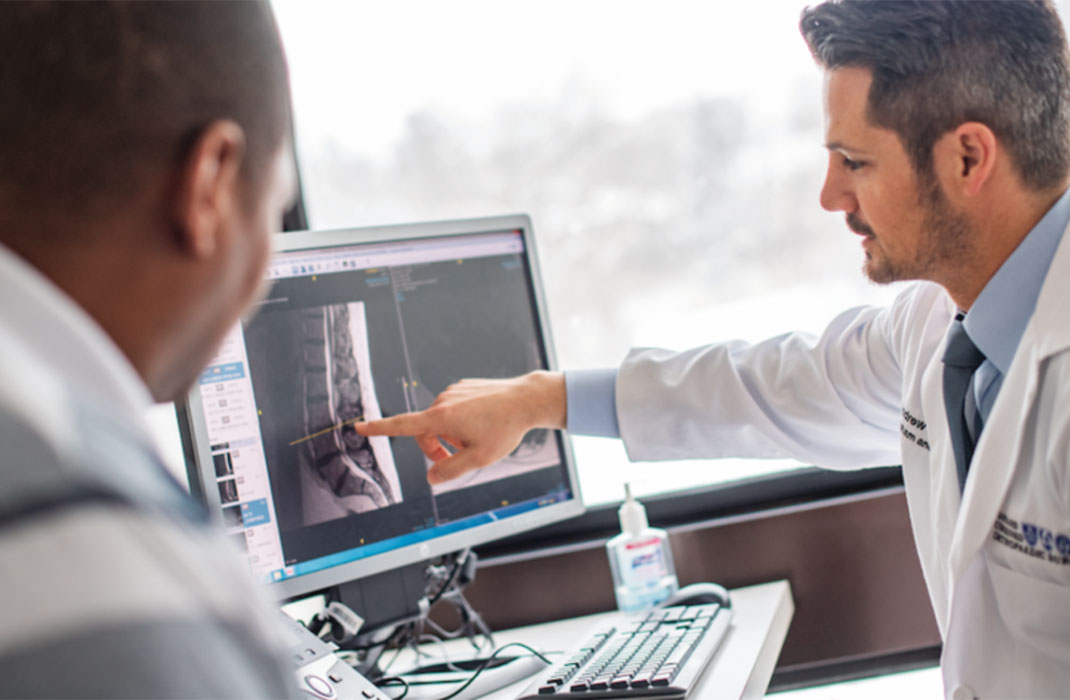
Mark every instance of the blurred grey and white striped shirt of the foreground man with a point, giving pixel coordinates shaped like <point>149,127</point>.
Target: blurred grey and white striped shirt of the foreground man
<point>114,583</point>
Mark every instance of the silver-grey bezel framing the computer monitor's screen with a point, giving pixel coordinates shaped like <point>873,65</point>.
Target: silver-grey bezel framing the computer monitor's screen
<point>196,445</point>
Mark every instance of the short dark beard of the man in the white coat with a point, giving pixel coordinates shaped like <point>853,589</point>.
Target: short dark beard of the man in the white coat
<point>945,241</point>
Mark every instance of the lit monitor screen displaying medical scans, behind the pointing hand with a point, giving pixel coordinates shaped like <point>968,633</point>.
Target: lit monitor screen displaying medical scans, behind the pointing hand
<point>357,333</point>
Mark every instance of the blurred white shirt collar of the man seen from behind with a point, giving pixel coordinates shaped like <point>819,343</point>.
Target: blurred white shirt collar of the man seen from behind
<point>70,343</point>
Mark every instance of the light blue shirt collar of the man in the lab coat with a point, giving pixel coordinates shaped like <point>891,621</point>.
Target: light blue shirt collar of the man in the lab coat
<point>998,319</point>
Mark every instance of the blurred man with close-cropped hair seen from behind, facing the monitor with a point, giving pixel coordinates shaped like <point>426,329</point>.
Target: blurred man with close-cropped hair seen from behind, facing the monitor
<point>145,164</point>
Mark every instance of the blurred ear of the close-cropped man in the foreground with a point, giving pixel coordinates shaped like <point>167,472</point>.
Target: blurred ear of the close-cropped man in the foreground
<point>209,188</point>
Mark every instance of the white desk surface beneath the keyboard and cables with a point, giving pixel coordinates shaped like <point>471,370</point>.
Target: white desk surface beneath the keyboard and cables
<point>742,667</point>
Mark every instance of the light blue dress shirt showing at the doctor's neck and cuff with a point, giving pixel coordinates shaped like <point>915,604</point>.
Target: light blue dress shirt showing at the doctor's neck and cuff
<point>996,324</point>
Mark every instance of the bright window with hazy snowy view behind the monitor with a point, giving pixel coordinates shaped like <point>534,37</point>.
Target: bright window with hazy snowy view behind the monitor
<point>670,156</point>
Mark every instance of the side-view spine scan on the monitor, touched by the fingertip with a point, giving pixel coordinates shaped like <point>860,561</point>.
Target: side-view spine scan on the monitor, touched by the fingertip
<point>312,376</point>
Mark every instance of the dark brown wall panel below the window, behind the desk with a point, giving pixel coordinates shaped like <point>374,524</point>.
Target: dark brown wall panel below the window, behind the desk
<point>853,568</point>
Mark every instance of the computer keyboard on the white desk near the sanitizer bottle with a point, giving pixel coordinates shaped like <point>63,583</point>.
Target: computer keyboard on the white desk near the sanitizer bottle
<point>658,655</point>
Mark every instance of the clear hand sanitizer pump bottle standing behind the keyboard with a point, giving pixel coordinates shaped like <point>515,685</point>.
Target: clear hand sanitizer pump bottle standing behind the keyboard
<point>640,560</point>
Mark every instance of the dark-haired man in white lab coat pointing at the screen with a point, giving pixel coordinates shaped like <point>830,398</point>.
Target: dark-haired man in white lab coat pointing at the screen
<point>949,138</point>
